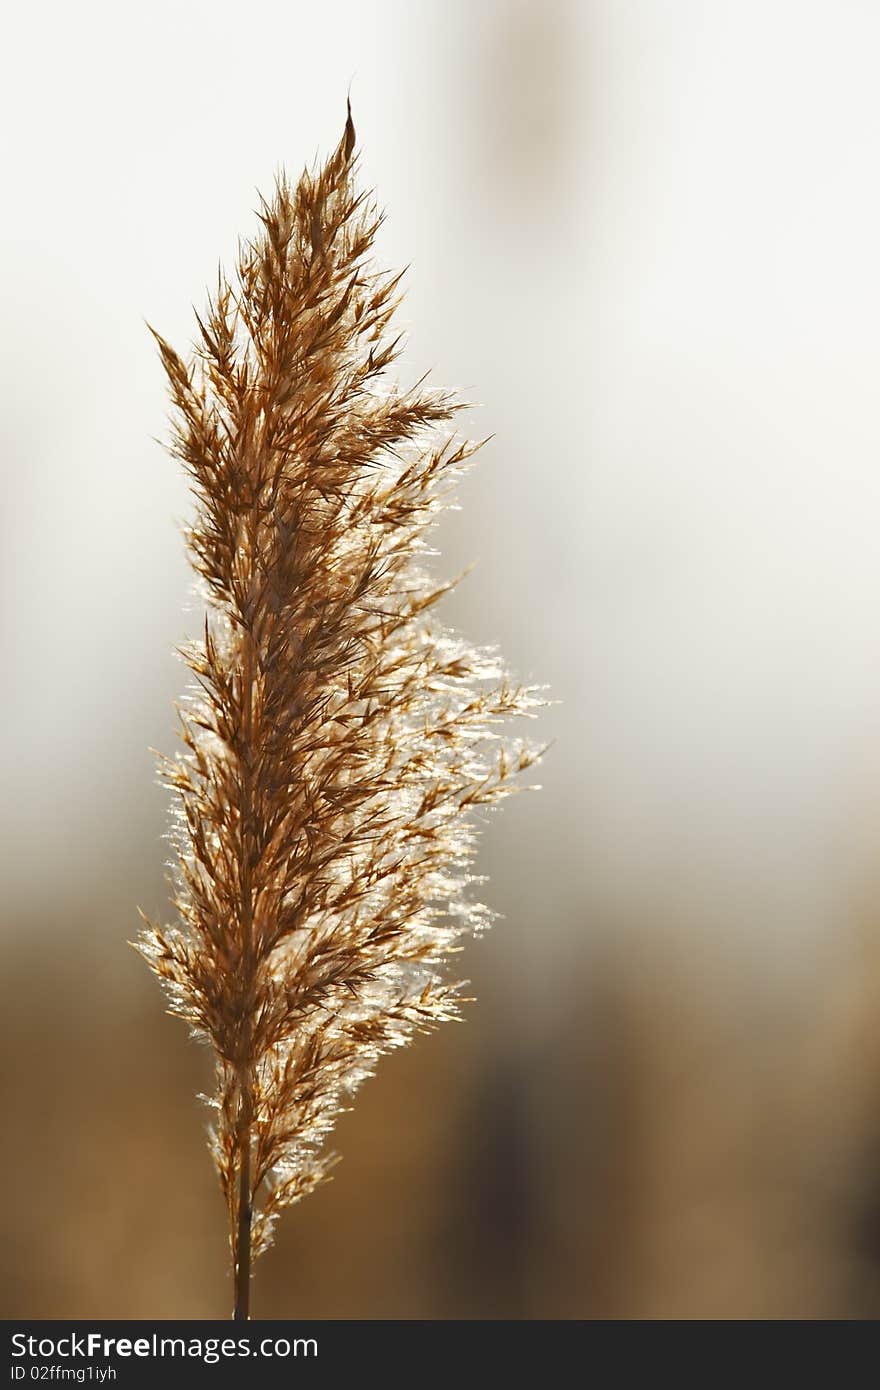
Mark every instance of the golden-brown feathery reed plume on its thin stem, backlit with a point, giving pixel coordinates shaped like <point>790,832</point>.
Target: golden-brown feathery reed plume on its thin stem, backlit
<point>336,739</point>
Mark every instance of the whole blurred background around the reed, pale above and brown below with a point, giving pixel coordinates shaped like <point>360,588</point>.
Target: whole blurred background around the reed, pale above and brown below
<point>643,237</point>
